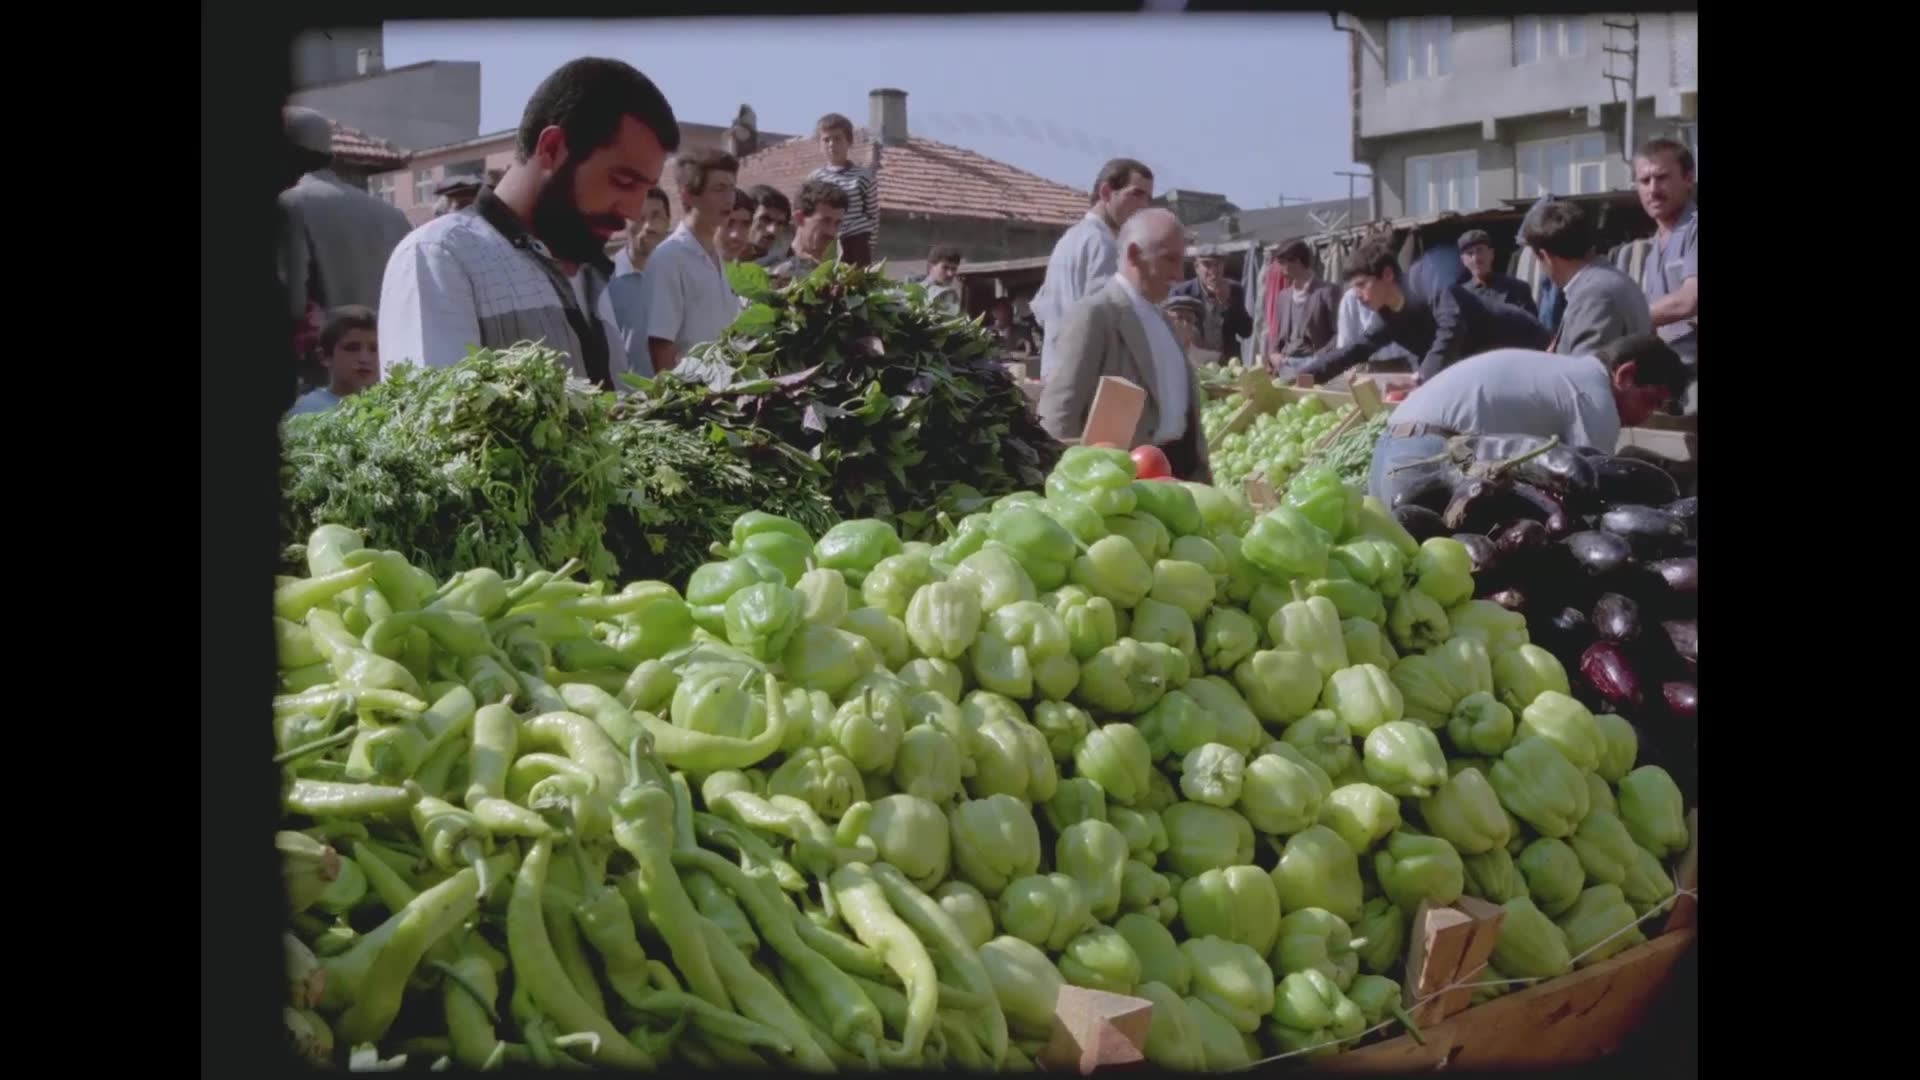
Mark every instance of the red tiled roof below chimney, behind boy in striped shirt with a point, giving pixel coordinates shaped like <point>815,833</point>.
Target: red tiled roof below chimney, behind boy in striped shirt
<point>926,178</point>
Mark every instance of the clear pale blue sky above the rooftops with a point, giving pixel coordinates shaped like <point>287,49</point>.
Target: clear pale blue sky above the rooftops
<point>1251,107</point>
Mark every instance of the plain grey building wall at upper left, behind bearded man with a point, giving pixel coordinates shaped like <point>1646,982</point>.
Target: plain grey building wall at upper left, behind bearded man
<point>416,107</point>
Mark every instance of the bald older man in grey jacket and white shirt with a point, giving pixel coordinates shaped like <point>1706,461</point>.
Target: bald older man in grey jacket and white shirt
<point>1120,330</point>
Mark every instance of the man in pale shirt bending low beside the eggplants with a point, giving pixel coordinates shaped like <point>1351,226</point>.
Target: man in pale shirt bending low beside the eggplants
<point>1581,399</point>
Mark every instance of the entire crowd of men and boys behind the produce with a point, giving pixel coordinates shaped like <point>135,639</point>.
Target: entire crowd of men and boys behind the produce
<point>527,258</point>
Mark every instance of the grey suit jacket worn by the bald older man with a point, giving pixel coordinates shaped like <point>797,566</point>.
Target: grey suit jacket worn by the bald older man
<point>1103,335</point>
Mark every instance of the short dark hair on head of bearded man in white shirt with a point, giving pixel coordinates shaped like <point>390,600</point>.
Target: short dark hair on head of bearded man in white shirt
<point>588,99</point>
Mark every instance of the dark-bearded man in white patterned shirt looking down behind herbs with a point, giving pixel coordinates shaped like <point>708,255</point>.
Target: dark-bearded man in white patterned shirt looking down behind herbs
<point>592,141</point>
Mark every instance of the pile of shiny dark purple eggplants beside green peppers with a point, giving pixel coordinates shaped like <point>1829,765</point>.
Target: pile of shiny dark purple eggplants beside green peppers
<point>1598,552</point>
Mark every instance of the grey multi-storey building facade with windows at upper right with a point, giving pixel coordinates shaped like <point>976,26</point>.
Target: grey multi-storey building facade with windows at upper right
<point>1454,112</point>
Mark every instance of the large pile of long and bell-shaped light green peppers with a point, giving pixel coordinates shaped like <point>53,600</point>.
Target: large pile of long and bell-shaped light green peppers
<point>852,802</point>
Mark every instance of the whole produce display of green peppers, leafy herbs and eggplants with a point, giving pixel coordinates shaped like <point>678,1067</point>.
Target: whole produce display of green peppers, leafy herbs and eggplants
<point>971,750</point>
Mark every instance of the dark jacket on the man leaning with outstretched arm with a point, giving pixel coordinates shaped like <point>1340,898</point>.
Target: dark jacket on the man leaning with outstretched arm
<point>1451,328</point>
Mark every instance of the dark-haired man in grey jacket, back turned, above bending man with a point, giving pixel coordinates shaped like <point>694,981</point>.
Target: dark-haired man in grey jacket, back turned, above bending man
<point>1602,303</point>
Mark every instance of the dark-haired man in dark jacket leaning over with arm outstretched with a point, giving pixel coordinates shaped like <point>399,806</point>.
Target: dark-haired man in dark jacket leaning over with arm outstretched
<point>1441,328</point>
